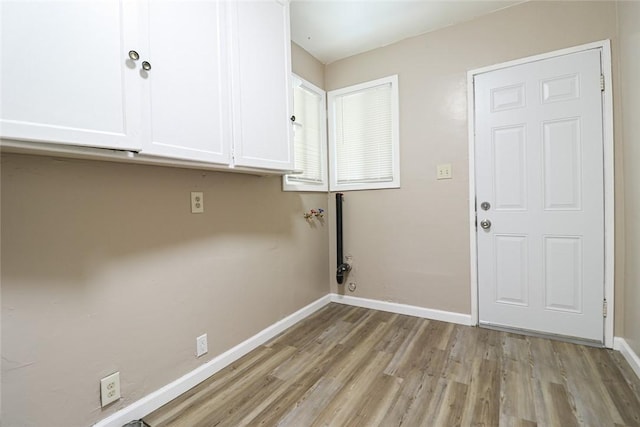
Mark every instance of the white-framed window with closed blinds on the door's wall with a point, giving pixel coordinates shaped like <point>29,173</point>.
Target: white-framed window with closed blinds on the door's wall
<point>364,136</point>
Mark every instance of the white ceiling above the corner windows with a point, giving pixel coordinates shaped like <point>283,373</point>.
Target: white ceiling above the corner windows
<point>334,29</point>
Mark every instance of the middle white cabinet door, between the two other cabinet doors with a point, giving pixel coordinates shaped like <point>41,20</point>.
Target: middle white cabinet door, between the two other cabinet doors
<point>187,83</point>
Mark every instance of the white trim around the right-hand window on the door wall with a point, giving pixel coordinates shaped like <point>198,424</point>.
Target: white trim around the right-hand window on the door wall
<point>395,135</point>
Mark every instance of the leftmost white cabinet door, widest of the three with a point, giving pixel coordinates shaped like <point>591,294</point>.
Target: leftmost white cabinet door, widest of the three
<point>65,74</point>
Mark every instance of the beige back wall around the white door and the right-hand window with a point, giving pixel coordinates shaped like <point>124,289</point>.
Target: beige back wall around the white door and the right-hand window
<point>412,245</point>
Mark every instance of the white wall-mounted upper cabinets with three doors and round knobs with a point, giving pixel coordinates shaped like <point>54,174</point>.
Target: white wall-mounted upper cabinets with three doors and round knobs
<point>201,81</point>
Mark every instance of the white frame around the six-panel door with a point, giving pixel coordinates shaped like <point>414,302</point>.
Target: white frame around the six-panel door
<point>608,160</point>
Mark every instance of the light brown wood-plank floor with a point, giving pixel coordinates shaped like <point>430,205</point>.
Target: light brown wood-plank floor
<point>347,366</point>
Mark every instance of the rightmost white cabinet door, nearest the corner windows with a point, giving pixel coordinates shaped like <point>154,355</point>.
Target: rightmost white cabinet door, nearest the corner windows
<point>261,59</point>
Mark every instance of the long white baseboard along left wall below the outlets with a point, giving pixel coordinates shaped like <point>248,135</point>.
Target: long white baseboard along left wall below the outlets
<point>155,400</point>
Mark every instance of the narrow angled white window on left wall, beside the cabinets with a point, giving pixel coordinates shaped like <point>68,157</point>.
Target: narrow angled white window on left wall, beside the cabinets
<point>310,138</point>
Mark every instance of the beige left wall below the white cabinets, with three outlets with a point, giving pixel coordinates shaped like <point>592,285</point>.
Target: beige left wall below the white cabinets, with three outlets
<point>105,269</point>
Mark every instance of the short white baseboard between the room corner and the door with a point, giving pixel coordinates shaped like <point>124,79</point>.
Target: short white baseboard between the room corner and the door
<point>410,310</point>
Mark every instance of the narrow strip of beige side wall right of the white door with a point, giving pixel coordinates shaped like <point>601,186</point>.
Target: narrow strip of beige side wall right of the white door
<point>629,26</point>
